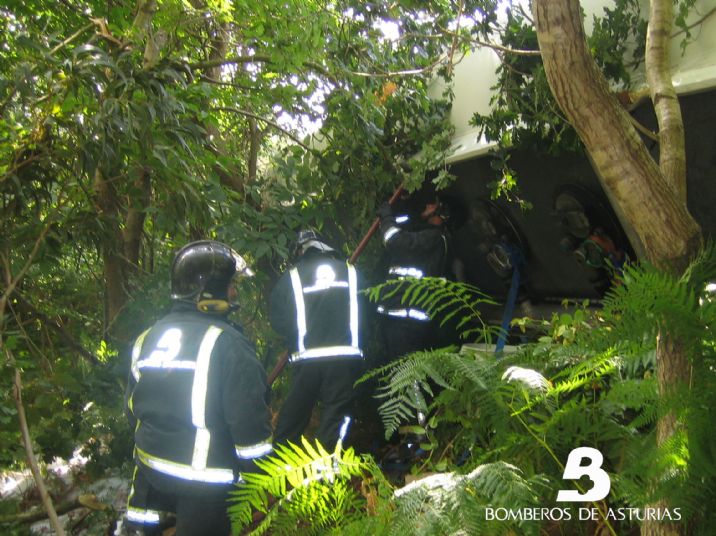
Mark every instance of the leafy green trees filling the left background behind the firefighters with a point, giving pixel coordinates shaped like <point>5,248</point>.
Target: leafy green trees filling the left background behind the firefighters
<point>127,130</point>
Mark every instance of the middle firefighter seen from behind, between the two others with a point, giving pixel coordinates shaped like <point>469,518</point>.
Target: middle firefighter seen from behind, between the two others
<point>315,308</point>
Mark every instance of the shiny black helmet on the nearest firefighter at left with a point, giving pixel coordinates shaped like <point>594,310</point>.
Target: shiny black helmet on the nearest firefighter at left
<point>203,270</point>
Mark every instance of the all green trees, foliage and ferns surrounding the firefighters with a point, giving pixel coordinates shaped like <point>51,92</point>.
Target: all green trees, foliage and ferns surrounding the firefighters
<point>130,128</point>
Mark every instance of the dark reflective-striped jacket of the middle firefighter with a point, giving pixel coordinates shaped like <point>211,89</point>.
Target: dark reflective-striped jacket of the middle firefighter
<point>315,306</point>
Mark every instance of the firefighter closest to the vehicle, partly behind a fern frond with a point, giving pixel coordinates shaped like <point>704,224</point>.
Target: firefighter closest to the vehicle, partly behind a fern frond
<point>413,249</point>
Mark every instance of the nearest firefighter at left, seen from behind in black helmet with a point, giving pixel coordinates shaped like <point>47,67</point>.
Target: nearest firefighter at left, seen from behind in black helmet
<point>197,397</point>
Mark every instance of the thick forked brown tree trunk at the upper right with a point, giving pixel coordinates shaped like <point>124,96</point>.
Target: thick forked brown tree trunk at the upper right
<point>651,197</point>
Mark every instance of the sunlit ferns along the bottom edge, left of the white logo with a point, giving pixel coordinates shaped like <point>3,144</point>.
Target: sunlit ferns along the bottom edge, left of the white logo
<point>305,490</point>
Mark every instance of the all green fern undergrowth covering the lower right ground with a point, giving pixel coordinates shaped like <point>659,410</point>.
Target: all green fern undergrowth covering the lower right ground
<point>500,428</point>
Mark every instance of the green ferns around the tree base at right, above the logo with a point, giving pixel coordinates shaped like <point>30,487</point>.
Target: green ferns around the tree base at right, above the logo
<point>590,382</point>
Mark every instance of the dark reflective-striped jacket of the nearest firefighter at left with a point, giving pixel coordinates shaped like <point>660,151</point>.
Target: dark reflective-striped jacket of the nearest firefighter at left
<point>198,399</point>
